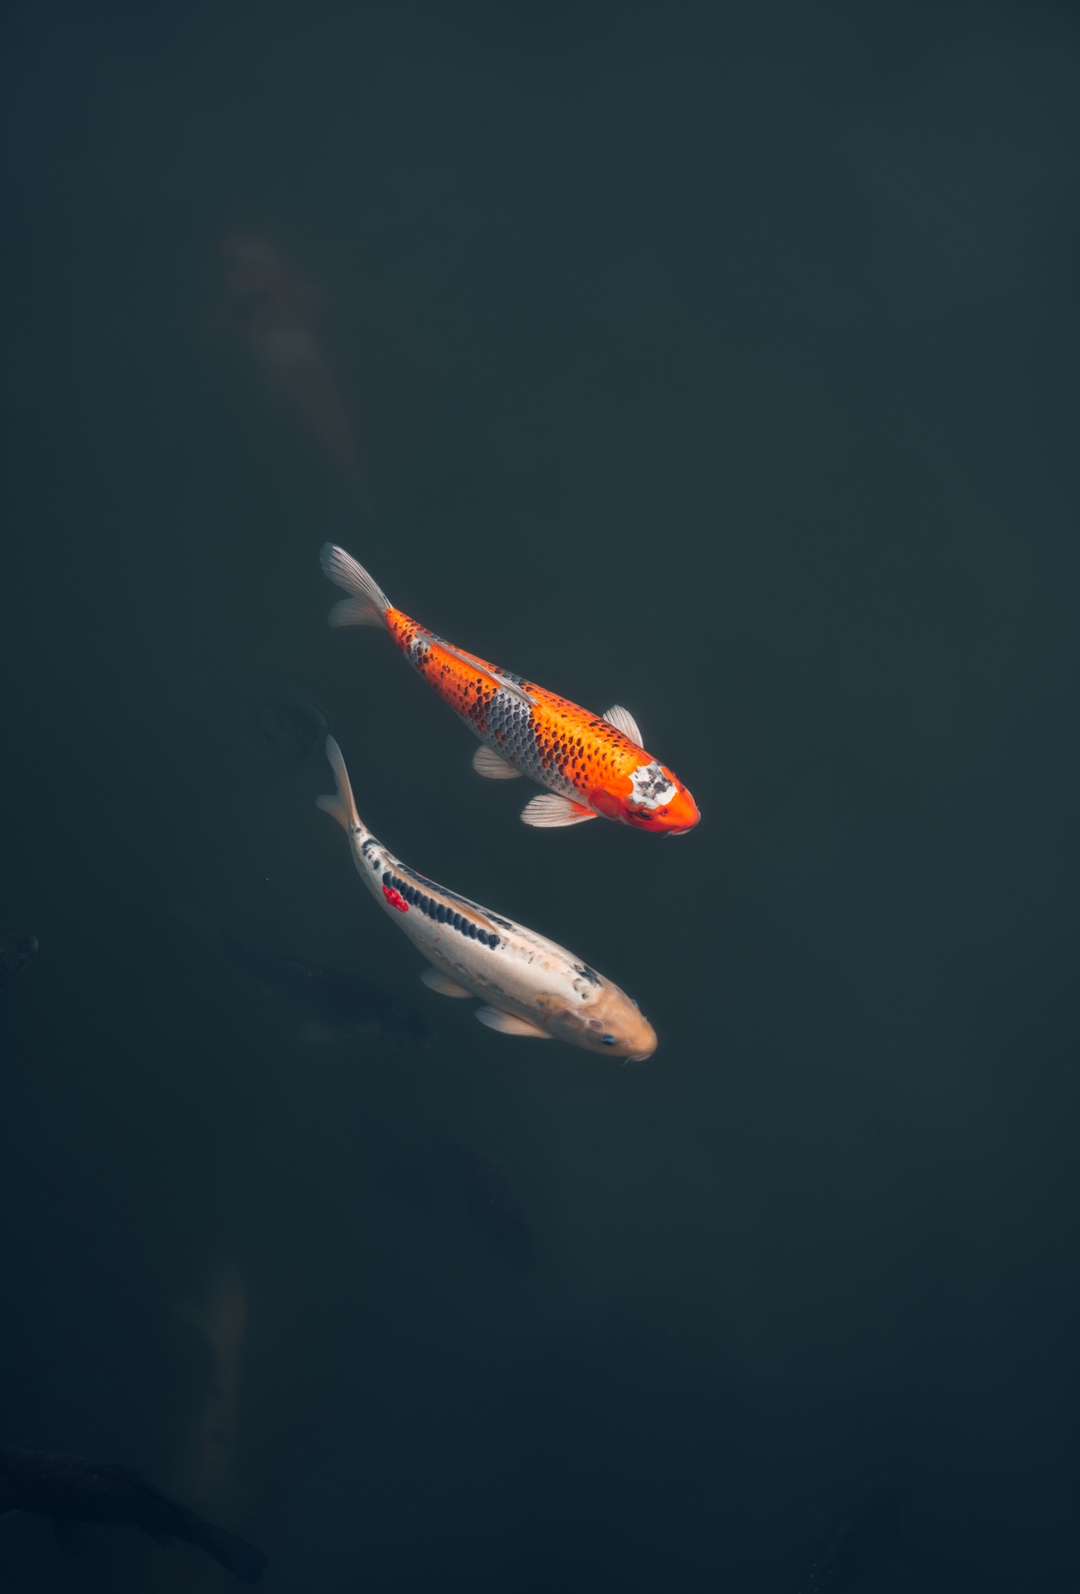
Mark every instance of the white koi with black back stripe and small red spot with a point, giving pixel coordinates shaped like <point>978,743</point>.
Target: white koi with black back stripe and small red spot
<point>530,986</point>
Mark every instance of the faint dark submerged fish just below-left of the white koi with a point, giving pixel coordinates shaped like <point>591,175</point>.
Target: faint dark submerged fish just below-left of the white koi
<point>337,1005</point>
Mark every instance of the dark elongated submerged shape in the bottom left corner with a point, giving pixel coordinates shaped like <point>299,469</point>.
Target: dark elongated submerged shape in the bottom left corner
<point>68,1490</point>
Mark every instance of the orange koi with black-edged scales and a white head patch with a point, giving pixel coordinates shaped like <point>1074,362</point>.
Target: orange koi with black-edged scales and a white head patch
<point>595,766</point>
